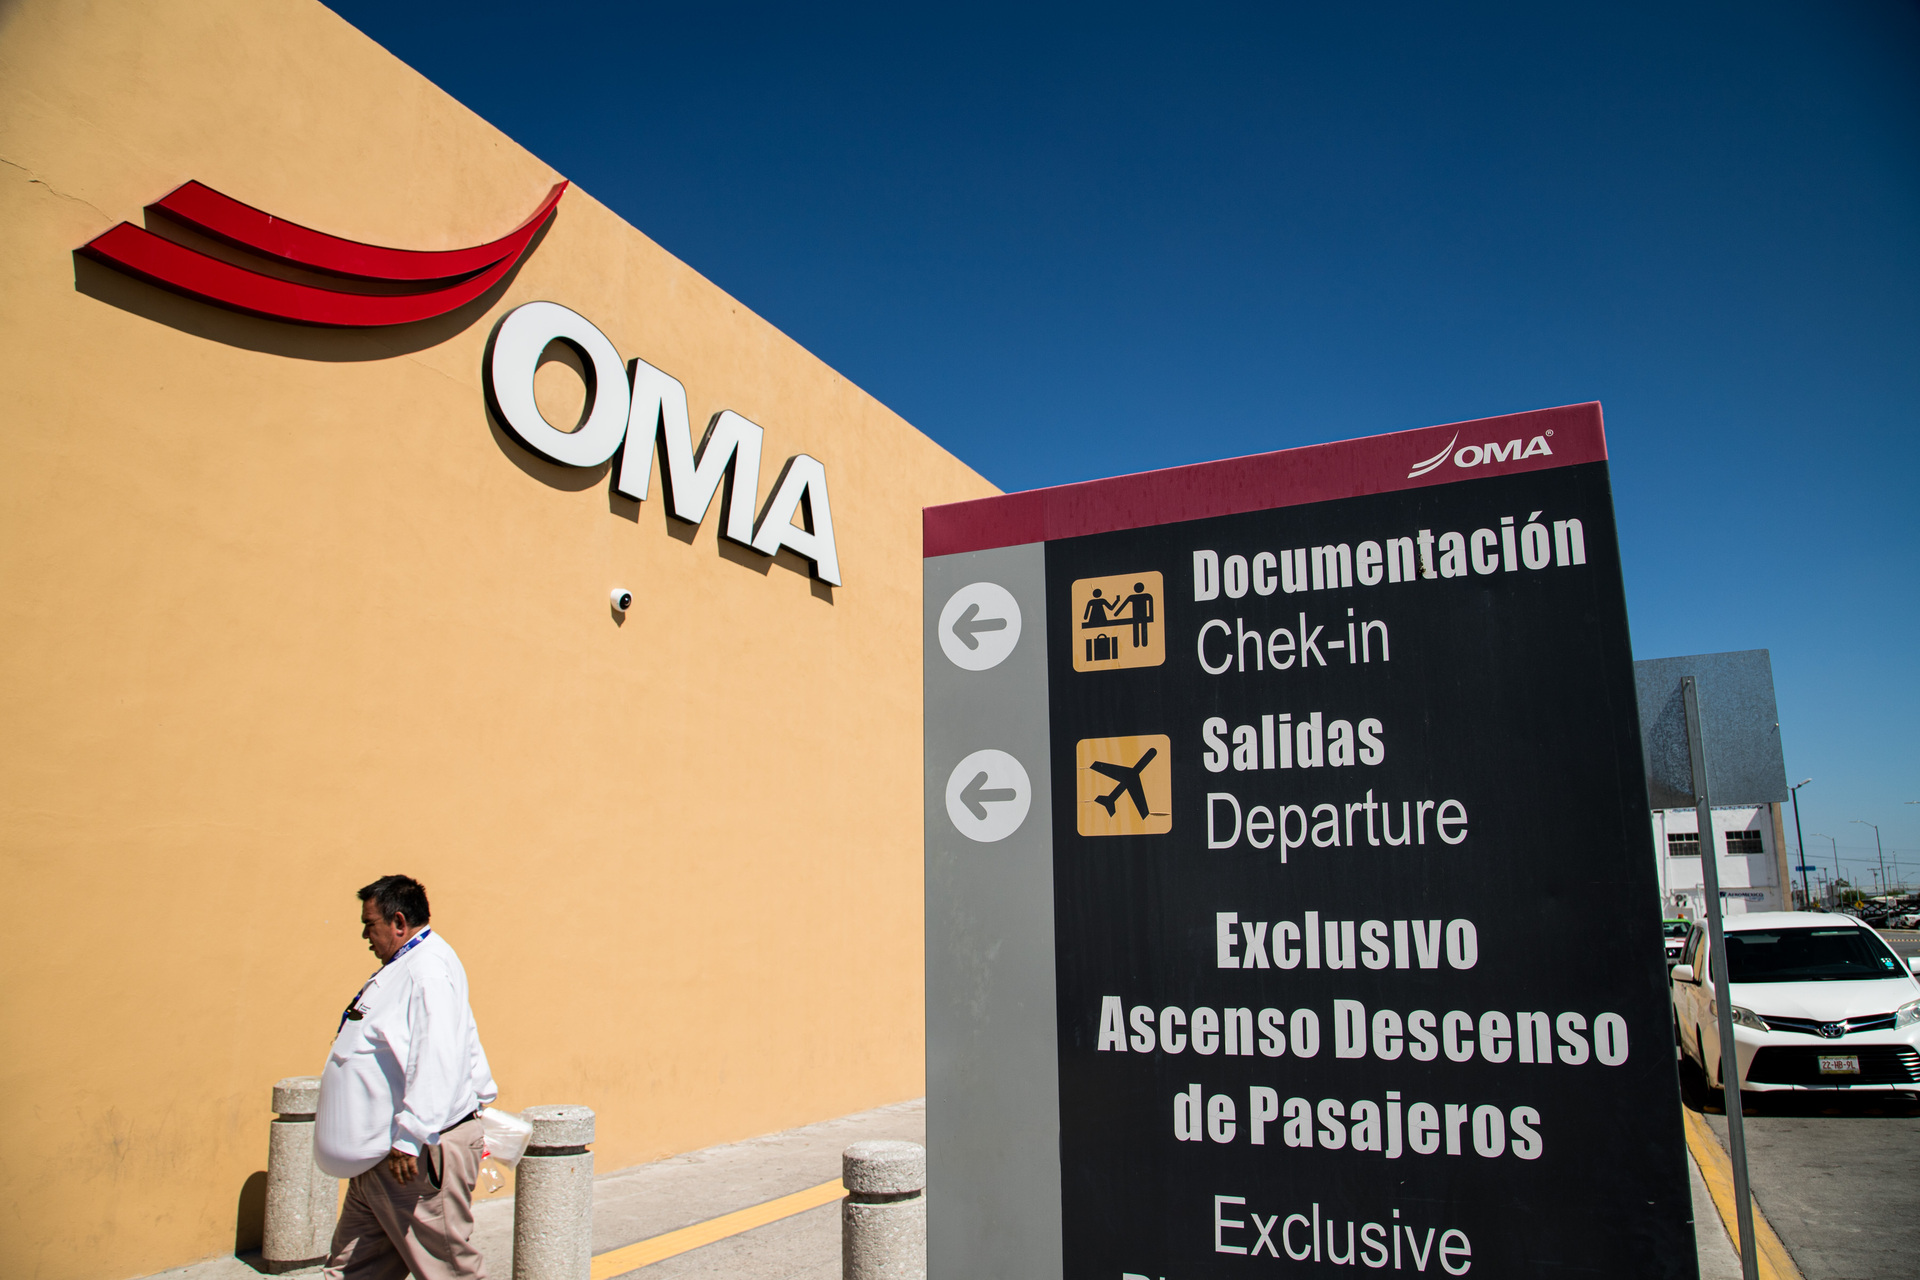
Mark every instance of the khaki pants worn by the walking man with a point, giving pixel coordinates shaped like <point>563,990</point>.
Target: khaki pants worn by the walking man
<point>423,1227</point>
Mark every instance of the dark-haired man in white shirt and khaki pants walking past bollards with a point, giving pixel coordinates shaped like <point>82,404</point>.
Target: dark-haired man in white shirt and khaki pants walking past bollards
<point>400,1102</point>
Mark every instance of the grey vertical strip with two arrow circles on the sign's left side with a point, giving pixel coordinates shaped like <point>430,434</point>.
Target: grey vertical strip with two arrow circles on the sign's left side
<point>994,1079</point>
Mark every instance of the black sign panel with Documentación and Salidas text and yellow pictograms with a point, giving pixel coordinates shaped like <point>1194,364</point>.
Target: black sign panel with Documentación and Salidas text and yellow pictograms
<point>1356,918</point>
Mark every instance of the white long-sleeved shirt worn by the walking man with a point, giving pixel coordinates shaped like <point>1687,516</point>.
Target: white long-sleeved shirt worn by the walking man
<point>408,1068</point>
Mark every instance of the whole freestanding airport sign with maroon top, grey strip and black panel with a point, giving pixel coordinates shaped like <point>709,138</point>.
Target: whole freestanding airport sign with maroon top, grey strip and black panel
<point>1274,978</point>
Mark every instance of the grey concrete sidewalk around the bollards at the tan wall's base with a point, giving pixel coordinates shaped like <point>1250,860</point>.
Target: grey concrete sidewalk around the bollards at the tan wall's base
<point>669,1195</point>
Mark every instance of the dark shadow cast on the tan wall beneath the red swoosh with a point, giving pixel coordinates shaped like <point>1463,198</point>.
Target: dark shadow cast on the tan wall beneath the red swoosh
<point>302,343</point>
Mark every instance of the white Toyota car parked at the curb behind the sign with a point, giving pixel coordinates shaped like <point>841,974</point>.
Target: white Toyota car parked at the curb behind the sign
<point>1819,1003</point>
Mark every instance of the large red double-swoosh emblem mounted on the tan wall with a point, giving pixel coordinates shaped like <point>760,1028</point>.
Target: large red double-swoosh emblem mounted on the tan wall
<point>437,281</point>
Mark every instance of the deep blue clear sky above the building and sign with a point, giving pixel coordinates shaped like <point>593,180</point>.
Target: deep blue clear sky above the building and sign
<point>1078,241</point>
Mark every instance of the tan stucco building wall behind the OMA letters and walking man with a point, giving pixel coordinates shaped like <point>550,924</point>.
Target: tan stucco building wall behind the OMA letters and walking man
<point>281,613</point>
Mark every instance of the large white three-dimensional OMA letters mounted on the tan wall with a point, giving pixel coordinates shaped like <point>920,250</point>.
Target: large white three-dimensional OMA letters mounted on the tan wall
<point>640,406</point>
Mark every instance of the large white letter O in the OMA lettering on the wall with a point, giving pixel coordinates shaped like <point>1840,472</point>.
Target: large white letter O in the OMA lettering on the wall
<point>516,354</point>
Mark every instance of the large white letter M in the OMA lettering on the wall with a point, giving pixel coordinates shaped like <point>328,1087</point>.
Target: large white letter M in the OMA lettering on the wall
<point>729,454</point>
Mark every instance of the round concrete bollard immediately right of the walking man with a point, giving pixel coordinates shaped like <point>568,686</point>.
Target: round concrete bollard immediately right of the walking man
<point>554,1197</point>
